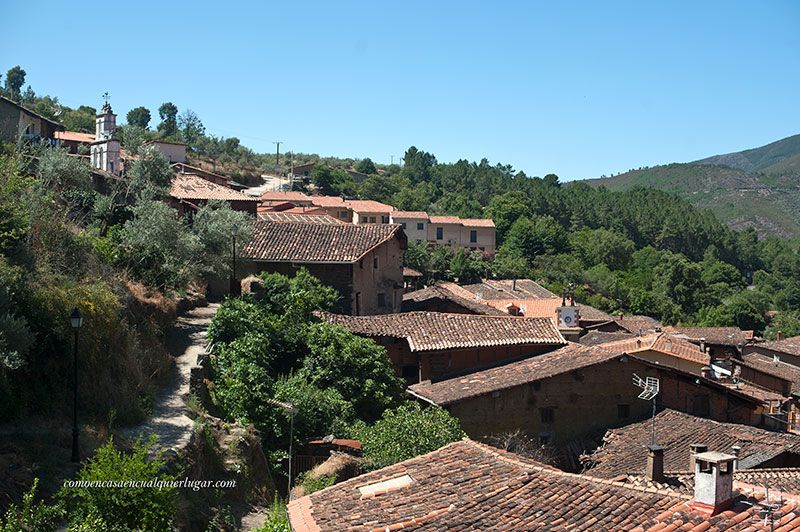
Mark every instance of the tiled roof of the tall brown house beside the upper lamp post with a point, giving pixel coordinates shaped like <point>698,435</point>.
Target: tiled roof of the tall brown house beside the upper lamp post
<point>314,242</point>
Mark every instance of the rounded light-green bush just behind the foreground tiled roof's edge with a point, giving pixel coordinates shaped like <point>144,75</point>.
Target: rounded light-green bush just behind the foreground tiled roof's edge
<point>406,432</point>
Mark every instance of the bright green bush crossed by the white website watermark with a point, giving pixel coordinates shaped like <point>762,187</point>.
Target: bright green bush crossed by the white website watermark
<point>128,508</point>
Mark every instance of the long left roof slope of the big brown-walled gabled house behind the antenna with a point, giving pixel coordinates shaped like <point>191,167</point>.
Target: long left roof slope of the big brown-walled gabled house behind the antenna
<point>569,358</point>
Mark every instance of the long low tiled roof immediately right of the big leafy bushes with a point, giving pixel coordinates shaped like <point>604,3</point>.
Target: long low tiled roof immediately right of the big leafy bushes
<point>434,331</point>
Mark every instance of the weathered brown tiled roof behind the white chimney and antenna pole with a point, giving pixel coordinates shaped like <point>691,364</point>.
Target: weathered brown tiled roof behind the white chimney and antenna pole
<point>623,450</point>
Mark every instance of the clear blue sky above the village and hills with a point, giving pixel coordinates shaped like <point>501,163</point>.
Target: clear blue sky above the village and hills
<point>575,88</point>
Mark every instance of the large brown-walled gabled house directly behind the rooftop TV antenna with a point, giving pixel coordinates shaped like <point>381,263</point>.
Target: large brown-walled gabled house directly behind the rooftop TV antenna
<point>577,390</point>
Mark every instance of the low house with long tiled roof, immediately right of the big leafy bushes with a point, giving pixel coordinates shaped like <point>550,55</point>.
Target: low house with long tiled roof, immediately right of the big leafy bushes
<point>431,345</point>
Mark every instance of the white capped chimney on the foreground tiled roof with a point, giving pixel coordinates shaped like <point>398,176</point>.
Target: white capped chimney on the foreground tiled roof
<point>713,482</point>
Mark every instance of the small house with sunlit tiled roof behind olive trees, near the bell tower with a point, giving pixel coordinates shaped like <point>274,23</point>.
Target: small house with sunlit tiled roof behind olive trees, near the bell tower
<point>189,192</point>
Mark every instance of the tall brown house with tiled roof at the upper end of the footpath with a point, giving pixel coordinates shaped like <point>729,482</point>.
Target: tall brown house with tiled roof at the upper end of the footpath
<point>362,262</point>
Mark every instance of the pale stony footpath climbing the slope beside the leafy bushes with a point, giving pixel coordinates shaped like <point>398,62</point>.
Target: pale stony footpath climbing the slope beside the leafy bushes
<point>169,420</point>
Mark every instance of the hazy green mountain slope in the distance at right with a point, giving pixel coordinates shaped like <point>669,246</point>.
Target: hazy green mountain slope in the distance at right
<point>757,188</point>
